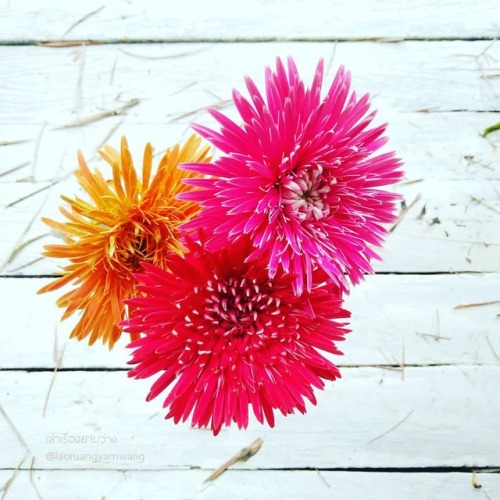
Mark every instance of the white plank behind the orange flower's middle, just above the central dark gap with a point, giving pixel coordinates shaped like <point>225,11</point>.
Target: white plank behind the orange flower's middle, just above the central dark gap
<point>451,226</point>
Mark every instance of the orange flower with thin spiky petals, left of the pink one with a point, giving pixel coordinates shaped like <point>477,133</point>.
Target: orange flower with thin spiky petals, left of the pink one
<point>126,221</point>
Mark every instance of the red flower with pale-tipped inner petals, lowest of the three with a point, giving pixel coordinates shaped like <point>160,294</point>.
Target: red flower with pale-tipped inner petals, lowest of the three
<point>223,336</point>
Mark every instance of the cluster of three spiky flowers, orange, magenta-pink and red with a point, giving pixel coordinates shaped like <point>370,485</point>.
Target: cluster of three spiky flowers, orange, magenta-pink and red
<point>229,273</point>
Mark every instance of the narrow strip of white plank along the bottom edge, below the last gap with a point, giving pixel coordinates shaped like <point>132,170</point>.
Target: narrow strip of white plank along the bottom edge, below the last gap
<point>269,485</point>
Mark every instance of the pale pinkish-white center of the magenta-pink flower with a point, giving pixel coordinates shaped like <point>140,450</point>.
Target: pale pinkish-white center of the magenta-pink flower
<point>307,193</point>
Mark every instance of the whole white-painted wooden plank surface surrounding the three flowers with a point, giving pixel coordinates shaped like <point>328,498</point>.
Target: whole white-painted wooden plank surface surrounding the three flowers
<point>416,414</point>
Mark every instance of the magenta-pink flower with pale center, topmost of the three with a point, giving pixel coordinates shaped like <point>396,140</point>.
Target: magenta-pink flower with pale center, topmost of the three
<point>300,177</point>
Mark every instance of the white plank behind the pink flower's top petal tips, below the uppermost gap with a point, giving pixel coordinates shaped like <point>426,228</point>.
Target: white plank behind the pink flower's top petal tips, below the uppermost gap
<point>60,85</point>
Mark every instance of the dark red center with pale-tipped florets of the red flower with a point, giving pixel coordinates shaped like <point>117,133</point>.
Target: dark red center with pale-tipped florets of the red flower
<point>241,307</point>
